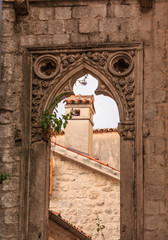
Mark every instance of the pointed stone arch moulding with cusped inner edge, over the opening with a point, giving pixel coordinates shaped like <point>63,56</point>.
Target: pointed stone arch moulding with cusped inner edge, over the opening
<point>105,87</point>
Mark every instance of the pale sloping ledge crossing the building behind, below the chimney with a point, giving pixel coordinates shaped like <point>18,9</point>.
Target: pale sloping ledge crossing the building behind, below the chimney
<point>96,166</point>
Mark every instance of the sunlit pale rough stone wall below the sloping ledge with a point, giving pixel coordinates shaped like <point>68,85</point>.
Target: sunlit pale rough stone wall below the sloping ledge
<point>79,192</point>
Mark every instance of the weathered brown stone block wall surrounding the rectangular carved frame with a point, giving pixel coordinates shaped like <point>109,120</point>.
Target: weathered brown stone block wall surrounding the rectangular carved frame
<point>63,23</point>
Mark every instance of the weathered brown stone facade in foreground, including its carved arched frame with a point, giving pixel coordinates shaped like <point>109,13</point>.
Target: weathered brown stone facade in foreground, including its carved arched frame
<point>45,46</point>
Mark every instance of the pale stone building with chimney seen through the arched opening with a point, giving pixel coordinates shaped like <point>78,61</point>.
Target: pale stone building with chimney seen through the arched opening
<point>83,178</point>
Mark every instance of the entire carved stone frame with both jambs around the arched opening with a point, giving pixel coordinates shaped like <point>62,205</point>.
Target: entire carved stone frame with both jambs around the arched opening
<point>47,73</point>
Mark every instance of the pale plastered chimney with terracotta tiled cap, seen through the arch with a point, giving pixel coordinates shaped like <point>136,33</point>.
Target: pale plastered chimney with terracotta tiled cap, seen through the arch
<point>79,130</point>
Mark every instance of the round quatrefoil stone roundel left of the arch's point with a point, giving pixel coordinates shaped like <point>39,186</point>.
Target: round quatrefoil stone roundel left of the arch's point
<point>46,67</point>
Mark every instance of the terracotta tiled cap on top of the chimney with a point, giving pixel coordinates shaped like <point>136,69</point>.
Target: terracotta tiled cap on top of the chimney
<point>79,99</point>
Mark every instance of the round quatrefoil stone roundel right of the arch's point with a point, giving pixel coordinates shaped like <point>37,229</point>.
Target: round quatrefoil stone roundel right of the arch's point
<point>120,64</point>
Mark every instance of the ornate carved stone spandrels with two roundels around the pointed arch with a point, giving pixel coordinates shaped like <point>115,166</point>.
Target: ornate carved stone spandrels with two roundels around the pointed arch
<point>54,67</point>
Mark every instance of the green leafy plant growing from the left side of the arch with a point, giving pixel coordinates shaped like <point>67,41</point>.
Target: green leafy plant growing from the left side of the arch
<point>50,122</point>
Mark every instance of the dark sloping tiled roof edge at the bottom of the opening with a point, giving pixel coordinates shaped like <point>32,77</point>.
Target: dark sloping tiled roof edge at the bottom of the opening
<point>68,226</point>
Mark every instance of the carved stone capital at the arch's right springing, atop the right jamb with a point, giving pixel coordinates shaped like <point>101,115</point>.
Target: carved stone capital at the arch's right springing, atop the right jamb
<point>126,130</point>
